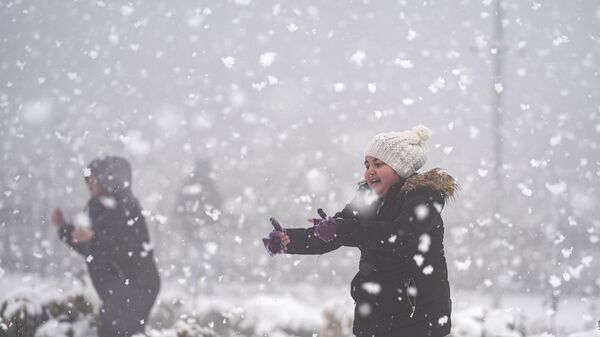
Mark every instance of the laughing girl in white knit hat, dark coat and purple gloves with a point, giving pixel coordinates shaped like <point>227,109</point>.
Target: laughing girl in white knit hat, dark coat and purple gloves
<point>401,288</point>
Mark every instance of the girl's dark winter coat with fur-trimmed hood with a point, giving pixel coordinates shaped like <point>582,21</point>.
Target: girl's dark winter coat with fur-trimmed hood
<point>401,288</point>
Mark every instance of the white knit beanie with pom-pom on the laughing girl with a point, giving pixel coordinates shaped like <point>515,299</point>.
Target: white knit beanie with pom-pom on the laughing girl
<point>405,152</point>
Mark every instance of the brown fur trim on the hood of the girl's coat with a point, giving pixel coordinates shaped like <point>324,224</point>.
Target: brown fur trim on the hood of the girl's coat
<point>436,180</point>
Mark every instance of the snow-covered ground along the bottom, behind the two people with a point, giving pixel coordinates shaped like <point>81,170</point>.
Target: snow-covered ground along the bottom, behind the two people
<point>289,310</point>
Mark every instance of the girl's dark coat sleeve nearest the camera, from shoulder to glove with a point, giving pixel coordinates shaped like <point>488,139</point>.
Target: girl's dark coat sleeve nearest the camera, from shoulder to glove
<point>418,214</point>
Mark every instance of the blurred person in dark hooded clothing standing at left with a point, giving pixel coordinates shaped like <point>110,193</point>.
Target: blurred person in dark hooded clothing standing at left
<point>117,248</point>
